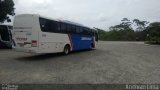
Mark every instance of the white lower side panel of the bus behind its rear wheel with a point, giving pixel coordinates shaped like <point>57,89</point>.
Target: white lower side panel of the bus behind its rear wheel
<point>53,42</point>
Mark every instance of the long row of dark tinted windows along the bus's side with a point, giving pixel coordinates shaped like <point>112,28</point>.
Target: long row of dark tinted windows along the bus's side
<point>57,27</point>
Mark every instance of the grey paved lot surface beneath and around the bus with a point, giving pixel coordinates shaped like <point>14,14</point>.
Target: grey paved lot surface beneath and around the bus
<point>111,62</point>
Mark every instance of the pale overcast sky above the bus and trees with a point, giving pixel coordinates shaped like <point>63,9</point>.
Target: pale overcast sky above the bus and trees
<point>93,13</point>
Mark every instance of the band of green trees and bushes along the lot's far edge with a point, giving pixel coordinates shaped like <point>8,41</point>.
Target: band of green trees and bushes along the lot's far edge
<point>134,30</point>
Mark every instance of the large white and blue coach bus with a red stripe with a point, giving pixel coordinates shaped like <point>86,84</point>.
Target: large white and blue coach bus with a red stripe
<point>37,34</point>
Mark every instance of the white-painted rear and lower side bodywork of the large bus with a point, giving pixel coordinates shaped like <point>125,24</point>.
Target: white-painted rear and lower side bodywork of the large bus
<point>29,37</point>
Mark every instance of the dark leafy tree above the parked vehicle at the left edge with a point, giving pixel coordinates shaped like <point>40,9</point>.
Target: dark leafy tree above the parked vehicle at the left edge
<point>6,9</point>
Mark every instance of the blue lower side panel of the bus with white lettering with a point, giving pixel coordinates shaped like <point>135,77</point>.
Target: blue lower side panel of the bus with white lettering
<point>81,42</point>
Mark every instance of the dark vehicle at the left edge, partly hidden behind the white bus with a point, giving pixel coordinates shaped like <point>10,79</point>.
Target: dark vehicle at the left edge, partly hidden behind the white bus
<point>6,36</point>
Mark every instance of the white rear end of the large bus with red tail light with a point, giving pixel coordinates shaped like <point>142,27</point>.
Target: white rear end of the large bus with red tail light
<point>25,34</point>
